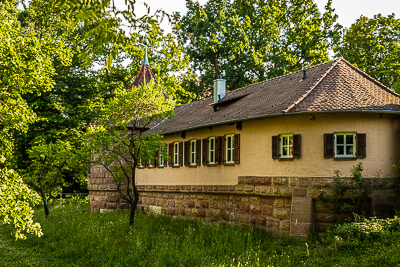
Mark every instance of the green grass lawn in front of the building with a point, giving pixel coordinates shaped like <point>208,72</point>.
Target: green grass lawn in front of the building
<point>75,237</point>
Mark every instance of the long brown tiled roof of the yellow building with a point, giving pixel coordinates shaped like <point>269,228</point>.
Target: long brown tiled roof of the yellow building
<point>329,87</point>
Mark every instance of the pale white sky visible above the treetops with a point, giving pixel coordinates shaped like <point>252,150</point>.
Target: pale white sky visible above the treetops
<point>348,10</point>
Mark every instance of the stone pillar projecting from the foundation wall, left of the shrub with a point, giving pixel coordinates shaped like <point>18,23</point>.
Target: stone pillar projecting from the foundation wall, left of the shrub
<point>302,216</point>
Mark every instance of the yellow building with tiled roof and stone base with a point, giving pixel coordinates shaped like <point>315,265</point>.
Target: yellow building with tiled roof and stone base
<point>254,155</point>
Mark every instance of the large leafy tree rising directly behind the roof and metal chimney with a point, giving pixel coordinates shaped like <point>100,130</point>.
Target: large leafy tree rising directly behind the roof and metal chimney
<point>250,41</point>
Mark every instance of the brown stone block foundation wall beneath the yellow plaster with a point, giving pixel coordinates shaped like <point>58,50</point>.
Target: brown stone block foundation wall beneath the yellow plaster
<point>282,205</point>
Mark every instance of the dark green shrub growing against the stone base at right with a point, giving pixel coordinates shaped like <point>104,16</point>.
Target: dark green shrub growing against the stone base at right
<point>349,195</point>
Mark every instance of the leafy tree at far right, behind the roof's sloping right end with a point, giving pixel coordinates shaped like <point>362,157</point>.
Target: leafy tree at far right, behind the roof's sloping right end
<point>373,45</point>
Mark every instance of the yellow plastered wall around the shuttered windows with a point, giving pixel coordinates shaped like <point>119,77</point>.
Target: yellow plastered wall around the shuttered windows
<point>383,149</point>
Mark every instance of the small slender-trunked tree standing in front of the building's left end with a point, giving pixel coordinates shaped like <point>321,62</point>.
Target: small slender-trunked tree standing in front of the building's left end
<point>120,141</point>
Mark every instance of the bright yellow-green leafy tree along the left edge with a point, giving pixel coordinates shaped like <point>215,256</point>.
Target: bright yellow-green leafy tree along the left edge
<point>25,67</point>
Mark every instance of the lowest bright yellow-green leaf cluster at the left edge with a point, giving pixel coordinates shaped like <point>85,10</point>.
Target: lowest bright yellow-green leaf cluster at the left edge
<point>15,209</point>
